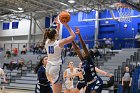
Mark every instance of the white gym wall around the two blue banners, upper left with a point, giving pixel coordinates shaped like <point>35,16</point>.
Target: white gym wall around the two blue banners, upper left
<point>20,35</point>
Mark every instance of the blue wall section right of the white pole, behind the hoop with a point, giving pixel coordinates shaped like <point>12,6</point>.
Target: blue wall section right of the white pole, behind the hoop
<point>122,37</point>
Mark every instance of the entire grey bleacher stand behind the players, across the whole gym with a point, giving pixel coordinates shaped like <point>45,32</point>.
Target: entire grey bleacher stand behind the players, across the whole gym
<point>111,62</point>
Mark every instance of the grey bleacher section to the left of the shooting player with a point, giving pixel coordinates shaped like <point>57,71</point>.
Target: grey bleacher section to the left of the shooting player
<point>24,78</point>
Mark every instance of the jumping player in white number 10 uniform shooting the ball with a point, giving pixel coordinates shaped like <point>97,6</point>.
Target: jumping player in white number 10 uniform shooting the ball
<point>54,48</point>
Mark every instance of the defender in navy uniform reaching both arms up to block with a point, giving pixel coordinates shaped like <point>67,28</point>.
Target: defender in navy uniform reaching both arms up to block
<point>94,83</point>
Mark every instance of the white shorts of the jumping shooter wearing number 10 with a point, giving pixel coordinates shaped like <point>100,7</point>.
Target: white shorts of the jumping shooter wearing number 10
<point>54,73</point>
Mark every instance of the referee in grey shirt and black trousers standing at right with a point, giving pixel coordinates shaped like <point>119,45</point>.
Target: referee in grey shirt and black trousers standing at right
<point>126,80</point>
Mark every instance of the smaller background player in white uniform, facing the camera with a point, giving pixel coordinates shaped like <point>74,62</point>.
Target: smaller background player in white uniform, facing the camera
<point>69,75</point>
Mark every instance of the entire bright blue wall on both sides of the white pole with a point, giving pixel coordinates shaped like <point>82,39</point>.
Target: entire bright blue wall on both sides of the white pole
<point>122,37</point>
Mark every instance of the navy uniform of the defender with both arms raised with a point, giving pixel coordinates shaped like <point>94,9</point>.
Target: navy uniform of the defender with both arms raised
<point>93,81</point>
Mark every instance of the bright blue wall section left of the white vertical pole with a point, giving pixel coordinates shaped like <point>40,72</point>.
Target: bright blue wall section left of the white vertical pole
<point>86,28</point>
